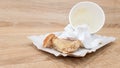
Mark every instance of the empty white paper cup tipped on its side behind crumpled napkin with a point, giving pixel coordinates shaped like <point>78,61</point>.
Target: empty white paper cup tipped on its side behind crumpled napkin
<point>87,13</point>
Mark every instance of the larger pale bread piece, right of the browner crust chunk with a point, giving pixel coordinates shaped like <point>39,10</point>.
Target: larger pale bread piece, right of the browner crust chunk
<point>66,45</point>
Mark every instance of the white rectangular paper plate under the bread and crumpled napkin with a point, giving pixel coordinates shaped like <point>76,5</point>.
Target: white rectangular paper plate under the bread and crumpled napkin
<point>38,42</point>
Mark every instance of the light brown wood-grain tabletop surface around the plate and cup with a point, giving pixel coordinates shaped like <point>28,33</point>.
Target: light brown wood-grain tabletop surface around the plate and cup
<point>21,18</point>
